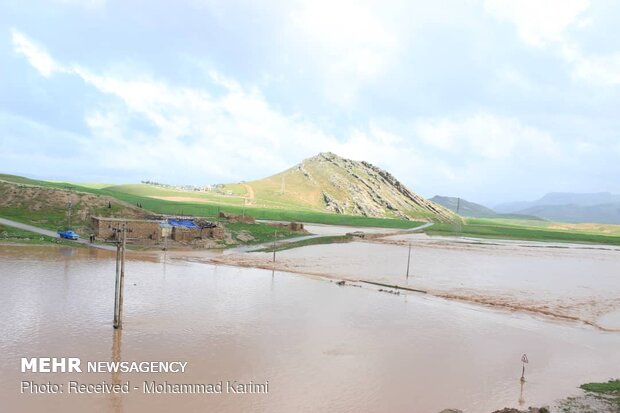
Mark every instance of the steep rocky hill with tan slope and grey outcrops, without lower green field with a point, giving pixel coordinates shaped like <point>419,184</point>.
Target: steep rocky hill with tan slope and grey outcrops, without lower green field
<point>327,182</point>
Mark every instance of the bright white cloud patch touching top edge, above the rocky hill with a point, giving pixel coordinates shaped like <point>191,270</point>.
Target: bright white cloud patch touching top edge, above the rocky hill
<point>347,40</point>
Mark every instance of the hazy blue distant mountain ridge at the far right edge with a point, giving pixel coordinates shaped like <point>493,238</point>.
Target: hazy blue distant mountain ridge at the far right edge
<point>600,207</point>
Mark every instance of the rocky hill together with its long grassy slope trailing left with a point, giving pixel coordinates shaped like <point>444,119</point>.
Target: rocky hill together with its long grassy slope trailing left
<point>312,191</point>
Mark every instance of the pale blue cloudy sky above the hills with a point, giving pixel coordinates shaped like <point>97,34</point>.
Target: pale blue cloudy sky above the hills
<point>489,100</point>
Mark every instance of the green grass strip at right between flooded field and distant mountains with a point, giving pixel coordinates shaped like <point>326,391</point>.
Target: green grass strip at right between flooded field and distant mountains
<point>519,230</point>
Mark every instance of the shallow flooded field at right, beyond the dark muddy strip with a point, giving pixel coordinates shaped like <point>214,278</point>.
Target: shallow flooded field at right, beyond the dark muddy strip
<point>580,283</point>
